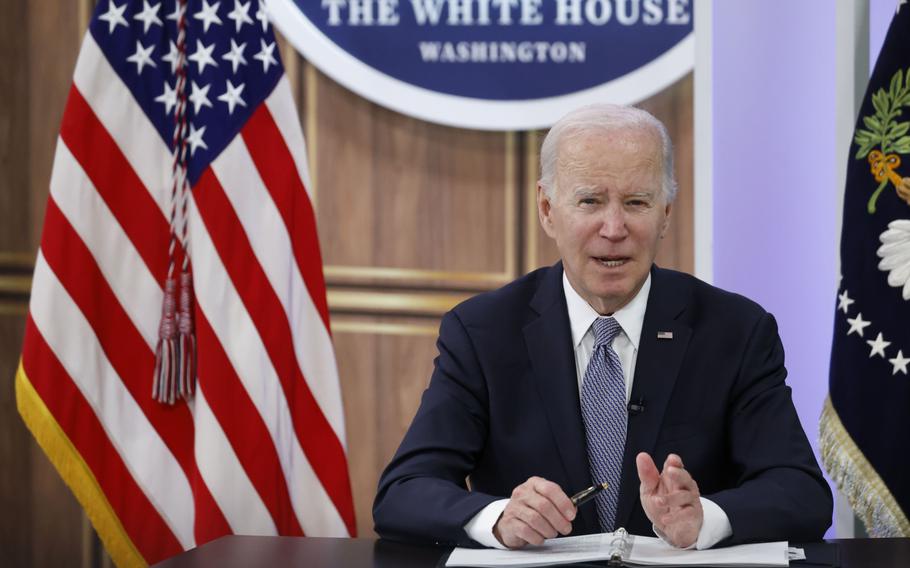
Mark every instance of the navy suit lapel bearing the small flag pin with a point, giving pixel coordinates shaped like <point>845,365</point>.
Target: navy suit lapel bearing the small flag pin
<point>656,369</point>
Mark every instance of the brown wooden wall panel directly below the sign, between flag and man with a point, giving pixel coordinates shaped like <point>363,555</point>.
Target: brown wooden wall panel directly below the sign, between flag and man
<point>408,202</point>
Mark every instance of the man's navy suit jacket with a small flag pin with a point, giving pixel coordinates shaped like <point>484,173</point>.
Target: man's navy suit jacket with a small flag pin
<point>503,405</point>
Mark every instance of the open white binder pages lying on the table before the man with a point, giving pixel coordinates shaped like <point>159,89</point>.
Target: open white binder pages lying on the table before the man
<point>645,551</point>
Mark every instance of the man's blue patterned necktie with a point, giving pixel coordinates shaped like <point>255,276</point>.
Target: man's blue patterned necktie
<point>603,408</point>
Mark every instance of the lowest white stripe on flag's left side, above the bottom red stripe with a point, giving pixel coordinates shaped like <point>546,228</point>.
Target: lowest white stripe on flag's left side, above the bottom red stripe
<point>151,464</point>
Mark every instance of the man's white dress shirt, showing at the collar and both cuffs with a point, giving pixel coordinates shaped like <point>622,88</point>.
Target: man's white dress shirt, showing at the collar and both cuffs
<point>716,525</point>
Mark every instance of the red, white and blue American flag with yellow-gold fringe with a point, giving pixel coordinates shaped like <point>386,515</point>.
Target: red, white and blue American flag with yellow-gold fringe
<point>259,448</point>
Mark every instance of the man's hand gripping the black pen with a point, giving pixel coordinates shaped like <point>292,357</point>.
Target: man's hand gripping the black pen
<point>537,510</point>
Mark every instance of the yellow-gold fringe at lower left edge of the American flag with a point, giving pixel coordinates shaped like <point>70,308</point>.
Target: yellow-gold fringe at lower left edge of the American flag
<point>75,473</point>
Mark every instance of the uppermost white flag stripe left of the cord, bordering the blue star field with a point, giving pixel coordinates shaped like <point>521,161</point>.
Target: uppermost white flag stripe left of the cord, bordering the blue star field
<point>114,106</point>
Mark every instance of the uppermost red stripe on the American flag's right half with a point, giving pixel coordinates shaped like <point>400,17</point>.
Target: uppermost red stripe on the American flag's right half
<point>276,166</point>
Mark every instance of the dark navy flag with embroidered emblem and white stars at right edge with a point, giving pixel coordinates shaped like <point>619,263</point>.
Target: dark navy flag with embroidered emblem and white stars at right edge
<point>866,419</point>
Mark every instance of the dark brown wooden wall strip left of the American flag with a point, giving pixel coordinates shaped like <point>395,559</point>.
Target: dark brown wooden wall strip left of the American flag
<point>41,524</point>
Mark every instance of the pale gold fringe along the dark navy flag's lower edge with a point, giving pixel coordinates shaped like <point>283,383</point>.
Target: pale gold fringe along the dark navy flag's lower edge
<point>868,495</point>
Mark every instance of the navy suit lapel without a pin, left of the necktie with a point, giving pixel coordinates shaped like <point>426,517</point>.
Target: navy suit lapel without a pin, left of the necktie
<point>549,342</point>
